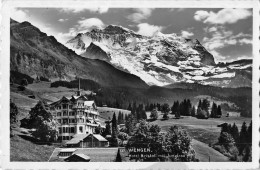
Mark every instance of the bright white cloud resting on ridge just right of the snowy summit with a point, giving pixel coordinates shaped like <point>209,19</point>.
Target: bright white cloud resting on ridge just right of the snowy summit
<point>147,29</point>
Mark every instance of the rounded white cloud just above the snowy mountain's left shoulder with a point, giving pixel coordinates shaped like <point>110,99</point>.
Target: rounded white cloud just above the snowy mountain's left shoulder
<point>89,24</point>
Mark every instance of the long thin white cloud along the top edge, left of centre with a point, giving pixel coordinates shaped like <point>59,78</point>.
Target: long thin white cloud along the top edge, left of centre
<point>100,10</point>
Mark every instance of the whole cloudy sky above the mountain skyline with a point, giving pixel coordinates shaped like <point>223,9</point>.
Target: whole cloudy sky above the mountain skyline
<point>225,33</point>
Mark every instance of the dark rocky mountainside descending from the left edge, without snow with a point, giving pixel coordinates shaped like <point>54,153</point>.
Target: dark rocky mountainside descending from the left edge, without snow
<point>36,54</point>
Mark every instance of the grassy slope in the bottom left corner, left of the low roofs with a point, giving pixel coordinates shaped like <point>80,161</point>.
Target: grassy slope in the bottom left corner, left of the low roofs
<point>24,150</point>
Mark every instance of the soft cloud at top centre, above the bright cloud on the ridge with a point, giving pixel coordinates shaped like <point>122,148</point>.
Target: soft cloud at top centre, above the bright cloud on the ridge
<point>140,14</point>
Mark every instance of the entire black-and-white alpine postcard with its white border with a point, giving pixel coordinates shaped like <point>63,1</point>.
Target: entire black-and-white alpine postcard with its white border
<point>132,84</point>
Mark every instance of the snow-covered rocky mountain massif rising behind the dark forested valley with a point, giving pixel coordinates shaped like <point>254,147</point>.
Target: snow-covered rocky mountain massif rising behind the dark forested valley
<point>161,59</point>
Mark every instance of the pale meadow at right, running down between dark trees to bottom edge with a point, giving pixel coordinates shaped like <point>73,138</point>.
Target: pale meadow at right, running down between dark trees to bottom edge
<point>203,132</point>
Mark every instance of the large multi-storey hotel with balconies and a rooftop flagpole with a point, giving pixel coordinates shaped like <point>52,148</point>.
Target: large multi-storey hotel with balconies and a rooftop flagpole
<point>75,115</point>
